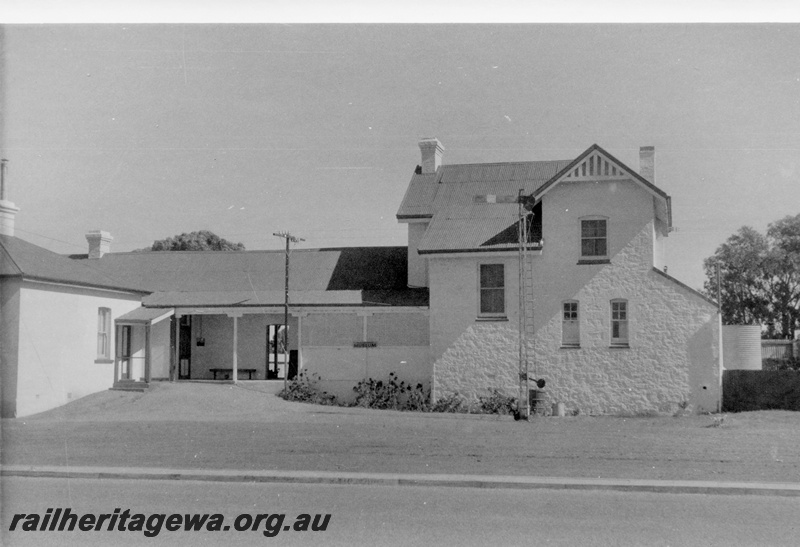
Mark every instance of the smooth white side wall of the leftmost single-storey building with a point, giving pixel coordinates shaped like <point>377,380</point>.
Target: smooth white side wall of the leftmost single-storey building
<point>57,344</point>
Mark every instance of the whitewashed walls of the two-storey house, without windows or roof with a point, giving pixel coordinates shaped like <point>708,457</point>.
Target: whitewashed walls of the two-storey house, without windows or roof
<point>673,356</point>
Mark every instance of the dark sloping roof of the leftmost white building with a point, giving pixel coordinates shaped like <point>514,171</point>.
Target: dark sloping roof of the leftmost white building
<point>18,258</point>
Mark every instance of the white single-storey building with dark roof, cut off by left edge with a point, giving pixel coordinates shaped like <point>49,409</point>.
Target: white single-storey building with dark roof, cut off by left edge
<point>56,326</point>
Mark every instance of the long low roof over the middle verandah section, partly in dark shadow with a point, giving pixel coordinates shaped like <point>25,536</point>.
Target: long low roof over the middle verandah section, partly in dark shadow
<point>340,276</point>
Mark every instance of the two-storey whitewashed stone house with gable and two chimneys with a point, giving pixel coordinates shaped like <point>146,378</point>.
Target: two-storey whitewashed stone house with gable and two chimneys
<point>607,328</point>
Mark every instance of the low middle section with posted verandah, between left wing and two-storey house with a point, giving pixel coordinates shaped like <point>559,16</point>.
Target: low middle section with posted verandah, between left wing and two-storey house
<point>220,316</point>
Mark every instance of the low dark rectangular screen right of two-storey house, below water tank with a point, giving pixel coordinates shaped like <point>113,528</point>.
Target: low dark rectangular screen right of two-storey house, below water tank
<point>744,390</point>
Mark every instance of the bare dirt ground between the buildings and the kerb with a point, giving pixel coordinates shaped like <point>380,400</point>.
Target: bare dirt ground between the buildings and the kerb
<point>219,426</point>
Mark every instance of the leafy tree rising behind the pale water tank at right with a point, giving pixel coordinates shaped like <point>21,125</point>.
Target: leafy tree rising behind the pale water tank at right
<point>760,277</point>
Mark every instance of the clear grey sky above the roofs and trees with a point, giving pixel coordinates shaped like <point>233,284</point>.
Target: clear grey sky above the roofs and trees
<point>146,131</point>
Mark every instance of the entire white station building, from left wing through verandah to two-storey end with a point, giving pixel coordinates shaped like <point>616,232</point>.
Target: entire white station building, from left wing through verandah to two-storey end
<point>607,328</point>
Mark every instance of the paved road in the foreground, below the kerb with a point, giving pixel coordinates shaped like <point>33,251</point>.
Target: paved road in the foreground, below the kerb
<point>382,515</point>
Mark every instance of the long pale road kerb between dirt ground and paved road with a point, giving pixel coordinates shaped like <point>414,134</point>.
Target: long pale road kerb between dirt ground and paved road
<point>398,479</point>
